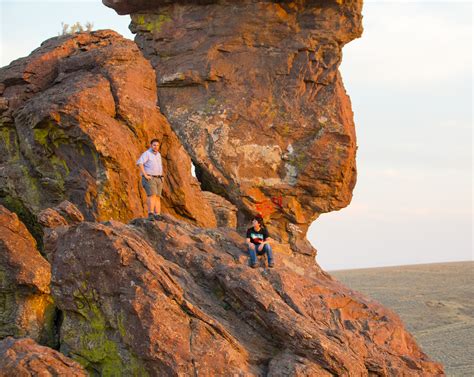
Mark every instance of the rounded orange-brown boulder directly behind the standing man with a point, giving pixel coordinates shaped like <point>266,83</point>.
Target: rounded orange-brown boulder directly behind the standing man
<point>76,114</point>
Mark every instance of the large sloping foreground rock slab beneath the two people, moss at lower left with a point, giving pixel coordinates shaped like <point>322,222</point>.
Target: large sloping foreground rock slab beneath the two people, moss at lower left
<point>169,298</point>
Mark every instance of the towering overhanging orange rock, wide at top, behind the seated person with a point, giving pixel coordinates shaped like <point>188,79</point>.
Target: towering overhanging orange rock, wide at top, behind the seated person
<point>253,91</point>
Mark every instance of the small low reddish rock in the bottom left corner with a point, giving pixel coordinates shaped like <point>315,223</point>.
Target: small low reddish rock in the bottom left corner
<point>23,357</point>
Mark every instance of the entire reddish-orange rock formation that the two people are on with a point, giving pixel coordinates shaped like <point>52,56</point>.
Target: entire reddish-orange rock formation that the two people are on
<point>253,96</point>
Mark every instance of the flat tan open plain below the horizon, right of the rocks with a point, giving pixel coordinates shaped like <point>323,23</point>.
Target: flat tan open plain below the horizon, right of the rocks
<point>435,301</point>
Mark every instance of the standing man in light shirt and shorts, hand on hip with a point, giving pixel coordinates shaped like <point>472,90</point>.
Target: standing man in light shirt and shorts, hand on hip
<point>151,170</point>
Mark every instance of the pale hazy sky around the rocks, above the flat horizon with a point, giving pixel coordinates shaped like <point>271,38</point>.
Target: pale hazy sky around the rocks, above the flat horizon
<point>410,82</point>
